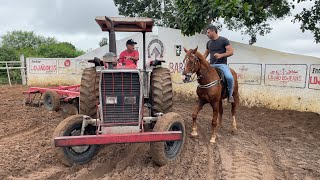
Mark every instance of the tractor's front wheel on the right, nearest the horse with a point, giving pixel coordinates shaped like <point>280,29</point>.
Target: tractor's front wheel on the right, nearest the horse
<point>163,152</point>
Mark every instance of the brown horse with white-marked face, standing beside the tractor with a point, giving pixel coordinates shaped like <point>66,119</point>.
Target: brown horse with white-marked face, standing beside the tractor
<point>211,89</point>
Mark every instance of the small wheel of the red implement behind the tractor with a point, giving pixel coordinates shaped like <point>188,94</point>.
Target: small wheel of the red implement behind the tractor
<point>51,100</point>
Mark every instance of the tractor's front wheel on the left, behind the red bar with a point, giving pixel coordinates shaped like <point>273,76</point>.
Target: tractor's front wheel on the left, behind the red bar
<point>71,126</point>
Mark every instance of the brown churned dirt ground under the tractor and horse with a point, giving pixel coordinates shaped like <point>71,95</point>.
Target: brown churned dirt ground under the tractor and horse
<point>270,144</point>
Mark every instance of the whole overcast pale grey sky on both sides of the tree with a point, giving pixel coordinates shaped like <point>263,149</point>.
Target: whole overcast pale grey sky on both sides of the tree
<point>73,21</point>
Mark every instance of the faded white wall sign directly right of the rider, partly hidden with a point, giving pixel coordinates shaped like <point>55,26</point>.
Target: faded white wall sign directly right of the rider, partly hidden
<point>248,73</point>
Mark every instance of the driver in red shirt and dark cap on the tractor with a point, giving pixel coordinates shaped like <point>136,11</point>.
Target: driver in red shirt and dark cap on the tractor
<point>130,56</point>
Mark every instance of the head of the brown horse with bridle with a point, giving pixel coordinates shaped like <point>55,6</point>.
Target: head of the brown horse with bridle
<point>192,63</point>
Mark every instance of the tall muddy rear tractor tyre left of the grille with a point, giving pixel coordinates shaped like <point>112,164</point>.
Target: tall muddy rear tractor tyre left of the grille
<point>89,92</point>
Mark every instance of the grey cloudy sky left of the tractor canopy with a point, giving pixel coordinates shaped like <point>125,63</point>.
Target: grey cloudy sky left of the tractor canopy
<point>71,20</point>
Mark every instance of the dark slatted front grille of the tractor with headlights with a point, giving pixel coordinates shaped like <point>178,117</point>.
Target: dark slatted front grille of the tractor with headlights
<point>120,98</point>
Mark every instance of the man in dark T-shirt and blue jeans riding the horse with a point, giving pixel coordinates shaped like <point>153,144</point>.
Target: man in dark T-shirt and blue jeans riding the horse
<point>220,48</point>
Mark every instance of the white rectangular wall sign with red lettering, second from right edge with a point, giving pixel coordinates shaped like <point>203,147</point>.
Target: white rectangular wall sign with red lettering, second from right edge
<point>286,75</point>
